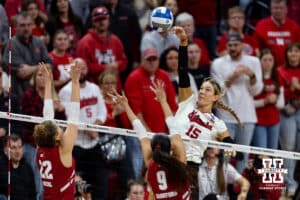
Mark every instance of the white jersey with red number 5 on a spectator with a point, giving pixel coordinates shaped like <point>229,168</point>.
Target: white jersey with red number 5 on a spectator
<point>92,107</point>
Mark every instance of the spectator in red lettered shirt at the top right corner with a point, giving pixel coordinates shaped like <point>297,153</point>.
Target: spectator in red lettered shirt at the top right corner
<point>277,31</point>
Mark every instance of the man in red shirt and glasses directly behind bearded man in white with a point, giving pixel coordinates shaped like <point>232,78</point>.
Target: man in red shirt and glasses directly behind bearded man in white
<point>236,22</point>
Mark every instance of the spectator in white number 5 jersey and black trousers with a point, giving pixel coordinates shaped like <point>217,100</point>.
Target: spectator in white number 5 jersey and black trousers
<point>87,152</point>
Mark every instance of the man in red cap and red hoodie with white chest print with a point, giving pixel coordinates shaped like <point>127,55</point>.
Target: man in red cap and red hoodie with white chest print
<point>101,49</point>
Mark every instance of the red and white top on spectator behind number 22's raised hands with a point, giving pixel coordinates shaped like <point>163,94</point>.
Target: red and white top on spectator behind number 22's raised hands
<point>60,66</point>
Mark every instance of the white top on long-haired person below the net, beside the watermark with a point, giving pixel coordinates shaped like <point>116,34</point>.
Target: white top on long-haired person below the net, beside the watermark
<point>207,179</point>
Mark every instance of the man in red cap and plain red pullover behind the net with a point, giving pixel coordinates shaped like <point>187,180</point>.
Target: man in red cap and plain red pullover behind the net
<point>142,99</point>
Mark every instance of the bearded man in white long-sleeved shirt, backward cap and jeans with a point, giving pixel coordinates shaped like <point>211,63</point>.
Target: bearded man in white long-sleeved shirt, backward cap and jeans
<point>240,77</point>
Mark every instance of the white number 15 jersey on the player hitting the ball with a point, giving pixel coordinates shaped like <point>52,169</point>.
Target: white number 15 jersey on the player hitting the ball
<point>192,123</point>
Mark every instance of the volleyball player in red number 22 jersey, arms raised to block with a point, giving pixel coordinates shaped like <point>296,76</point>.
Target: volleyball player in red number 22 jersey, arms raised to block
<point>54,147</point>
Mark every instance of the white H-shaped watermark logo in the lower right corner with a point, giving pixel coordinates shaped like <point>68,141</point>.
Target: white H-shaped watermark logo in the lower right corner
<point>272,170</point>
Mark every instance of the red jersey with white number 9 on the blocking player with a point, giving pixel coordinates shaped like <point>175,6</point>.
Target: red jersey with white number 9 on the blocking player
<point>157,177</point>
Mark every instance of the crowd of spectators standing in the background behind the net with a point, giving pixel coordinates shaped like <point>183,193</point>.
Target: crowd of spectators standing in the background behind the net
<point>254,57</point>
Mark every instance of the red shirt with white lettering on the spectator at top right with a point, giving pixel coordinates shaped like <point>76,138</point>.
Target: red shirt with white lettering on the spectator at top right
<point>276,37</point>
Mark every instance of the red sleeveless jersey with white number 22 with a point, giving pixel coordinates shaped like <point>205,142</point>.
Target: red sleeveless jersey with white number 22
<point>58,181</point>
